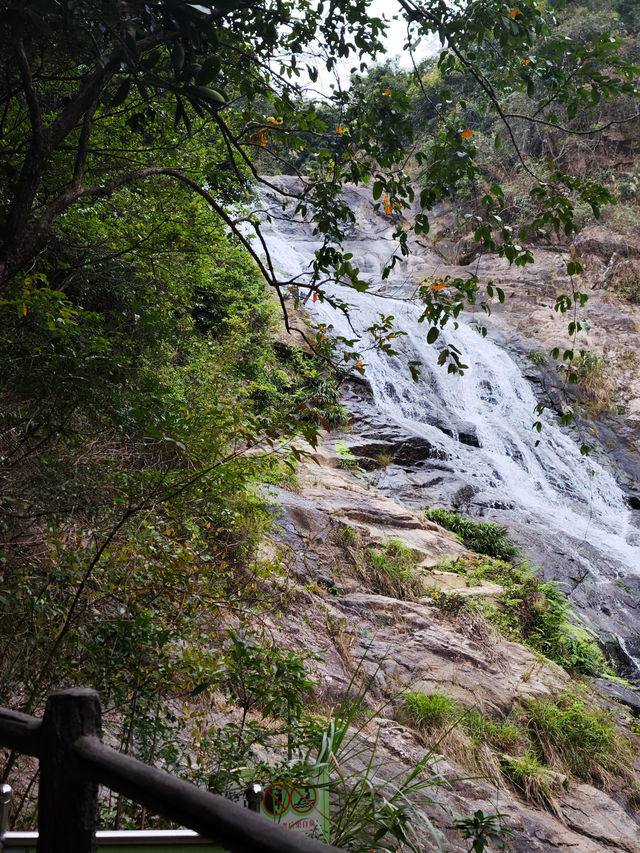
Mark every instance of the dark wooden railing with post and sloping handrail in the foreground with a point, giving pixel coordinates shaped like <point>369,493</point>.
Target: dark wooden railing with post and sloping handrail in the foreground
<point>74,761</point>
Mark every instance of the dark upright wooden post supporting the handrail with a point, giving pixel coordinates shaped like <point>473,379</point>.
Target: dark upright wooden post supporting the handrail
<point>67,802</point>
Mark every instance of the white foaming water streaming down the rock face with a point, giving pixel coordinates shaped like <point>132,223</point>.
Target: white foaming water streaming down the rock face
<point>544,476</point>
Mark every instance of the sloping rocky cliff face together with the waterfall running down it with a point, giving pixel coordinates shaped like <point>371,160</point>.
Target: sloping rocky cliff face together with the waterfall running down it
<point>431,444</point>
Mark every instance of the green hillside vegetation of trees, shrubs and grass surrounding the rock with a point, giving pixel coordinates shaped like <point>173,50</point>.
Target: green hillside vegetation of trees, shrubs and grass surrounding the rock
<point>149,397</point>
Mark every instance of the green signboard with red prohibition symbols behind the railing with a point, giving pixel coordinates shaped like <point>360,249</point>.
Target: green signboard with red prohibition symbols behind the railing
<point>304,808</point>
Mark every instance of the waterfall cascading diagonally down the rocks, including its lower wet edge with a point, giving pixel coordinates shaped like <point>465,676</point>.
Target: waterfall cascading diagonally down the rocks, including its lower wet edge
<point>480,423</point>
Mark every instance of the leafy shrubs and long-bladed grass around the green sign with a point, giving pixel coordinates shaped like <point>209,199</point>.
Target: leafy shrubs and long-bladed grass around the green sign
<point>374,806</point>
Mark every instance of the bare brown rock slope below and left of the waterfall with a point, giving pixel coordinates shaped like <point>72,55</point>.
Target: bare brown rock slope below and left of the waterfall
<point>414,645</point>
